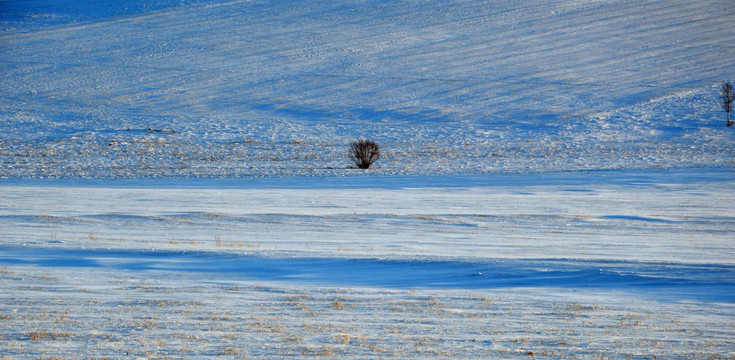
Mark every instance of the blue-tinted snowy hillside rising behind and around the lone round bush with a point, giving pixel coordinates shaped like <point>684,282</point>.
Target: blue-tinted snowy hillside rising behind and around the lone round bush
<point>278,88</point>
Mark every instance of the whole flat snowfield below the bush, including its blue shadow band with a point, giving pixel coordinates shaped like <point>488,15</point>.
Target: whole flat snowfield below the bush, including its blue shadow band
<point>612,265</point>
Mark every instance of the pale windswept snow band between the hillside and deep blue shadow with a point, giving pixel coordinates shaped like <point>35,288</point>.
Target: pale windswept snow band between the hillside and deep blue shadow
<point>678,216</point>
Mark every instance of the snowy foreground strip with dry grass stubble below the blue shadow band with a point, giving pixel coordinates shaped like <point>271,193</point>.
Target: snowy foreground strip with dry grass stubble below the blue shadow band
<point>261,321</point>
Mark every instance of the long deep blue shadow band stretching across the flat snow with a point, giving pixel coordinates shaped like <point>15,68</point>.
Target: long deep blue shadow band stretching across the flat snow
<point>669,281</point>
